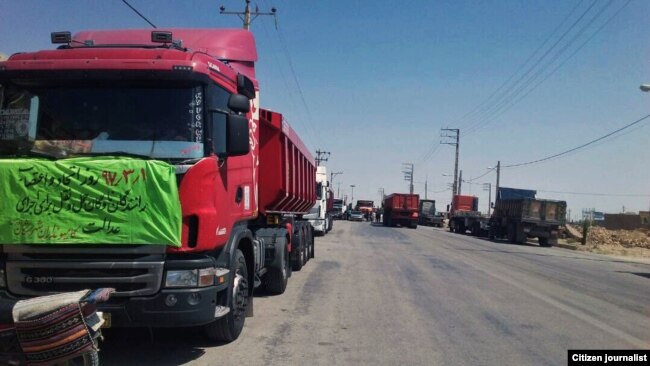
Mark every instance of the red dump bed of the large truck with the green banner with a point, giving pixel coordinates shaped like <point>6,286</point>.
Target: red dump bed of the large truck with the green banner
<point>287,170</point>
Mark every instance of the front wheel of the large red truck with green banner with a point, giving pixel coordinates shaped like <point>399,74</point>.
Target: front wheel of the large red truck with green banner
<point>229,327</point>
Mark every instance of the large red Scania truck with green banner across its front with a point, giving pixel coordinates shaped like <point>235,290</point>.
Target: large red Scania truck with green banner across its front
<point>141,160</point>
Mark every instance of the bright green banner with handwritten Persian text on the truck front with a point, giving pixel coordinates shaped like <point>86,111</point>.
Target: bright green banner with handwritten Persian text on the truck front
<point>89,200</point>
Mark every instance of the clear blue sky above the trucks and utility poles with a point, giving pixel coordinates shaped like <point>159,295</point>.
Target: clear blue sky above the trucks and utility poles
<point>374,81</point>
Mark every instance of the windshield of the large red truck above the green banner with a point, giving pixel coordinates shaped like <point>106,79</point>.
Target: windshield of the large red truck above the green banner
<point>60,121</point>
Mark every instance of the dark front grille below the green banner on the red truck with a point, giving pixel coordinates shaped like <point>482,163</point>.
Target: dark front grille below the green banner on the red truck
<point>41,270</point>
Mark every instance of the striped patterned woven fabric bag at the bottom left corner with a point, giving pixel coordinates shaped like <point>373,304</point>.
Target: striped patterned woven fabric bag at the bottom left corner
<point>56,336</point>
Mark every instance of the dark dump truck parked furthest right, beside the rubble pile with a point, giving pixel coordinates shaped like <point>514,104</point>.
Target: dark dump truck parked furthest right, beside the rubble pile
<point>518,215</point>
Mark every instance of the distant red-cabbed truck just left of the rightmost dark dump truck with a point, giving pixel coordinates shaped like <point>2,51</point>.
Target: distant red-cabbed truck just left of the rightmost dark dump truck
<point>464,215</point>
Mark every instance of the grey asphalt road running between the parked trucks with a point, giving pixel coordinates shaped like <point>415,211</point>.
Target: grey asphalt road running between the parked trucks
<point>377,295</point>
